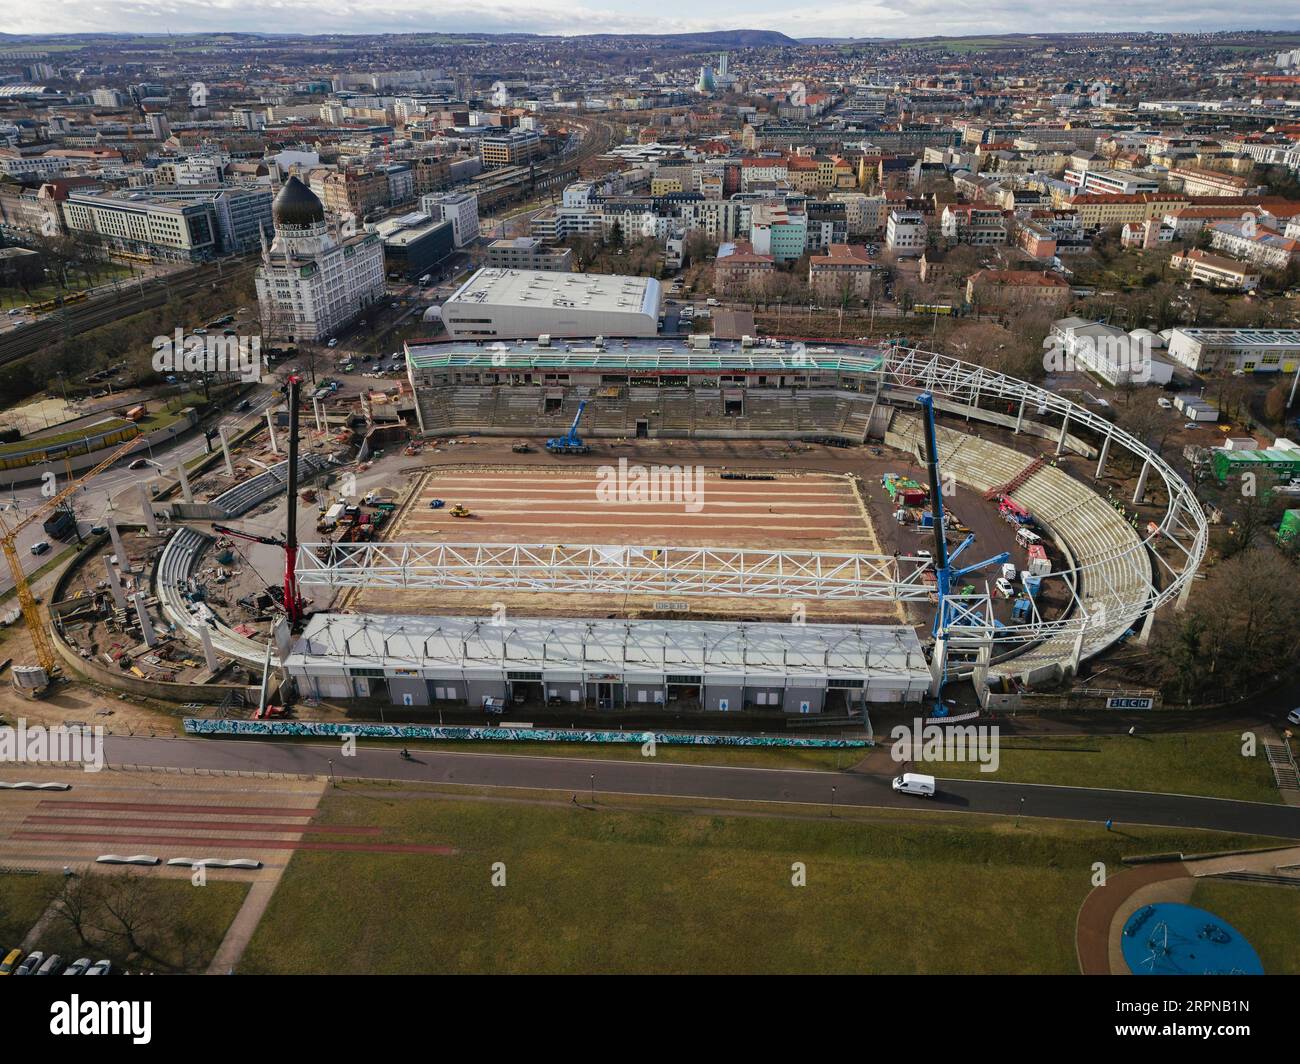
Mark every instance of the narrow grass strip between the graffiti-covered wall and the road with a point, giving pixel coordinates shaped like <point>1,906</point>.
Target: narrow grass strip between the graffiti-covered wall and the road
<point>751,758</point>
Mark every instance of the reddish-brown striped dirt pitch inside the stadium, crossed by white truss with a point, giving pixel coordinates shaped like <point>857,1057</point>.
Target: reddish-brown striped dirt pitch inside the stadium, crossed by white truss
<point>638,505</point>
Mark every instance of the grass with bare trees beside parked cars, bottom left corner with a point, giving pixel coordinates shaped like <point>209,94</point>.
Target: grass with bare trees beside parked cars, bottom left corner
<point>177,925</point>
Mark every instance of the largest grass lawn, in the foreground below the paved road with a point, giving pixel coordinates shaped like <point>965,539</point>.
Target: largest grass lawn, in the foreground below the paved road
<point>660,886</point>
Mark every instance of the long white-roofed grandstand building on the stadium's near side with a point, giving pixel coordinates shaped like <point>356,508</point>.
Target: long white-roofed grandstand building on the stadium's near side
<point>614,665</point>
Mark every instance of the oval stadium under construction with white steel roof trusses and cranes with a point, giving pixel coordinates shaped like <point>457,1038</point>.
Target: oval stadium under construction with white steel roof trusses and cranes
<point>792,590</point>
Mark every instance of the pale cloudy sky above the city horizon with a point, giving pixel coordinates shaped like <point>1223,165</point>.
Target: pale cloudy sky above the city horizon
<point>834,19</point>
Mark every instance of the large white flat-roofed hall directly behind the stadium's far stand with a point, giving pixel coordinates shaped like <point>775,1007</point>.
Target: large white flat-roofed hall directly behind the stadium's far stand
<point>521,304</point>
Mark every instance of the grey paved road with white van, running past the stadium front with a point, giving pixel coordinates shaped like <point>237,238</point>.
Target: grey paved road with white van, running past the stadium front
<point>708,782</point>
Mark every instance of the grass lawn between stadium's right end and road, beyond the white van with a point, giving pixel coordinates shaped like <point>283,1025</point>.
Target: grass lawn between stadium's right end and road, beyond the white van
<point>1208,764</point>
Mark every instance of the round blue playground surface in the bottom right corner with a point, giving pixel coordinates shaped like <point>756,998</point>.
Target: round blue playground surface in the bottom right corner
<point>1173,940</point>
